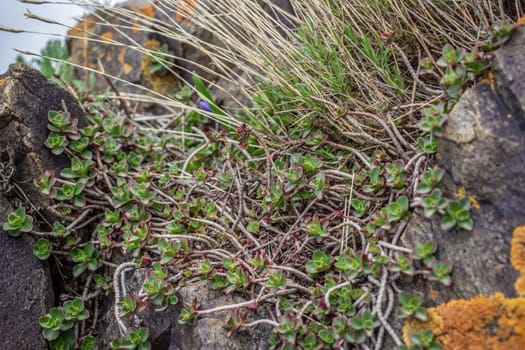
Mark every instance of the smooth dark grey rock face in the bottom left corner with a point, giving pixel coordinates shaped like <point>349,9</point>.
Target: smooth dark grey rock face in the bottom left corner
<point>25,290</point>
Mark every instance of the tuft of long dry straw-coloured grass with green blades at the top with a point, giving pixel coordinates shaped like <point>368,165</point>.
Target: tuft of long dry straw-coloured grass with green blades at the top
<point>326,58</point>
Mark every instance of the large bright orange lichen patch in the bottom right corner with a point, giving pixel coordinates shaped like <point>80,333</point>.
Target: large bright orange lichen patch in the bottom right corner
<point>480,323</point>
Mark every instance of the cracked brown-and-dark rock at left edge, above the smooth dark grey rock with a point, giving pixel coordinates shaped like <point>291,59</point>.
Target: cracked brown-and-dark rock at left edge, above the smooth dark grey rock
<point>26,97</point>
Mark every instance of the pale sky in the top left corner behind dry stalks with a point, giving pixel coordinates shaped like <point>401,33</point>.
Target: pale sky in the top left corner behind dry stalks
<point>12,15</point>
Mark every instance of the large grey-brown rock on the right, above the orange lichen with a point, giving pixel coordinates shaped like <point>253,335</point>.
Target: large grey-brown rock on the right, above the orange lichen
<point>483,152</point>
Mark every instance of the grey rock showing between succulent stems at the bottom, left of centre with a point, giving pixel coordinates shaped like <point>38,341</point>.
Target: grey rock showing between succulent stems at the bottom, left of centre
<point>166,333</point>
